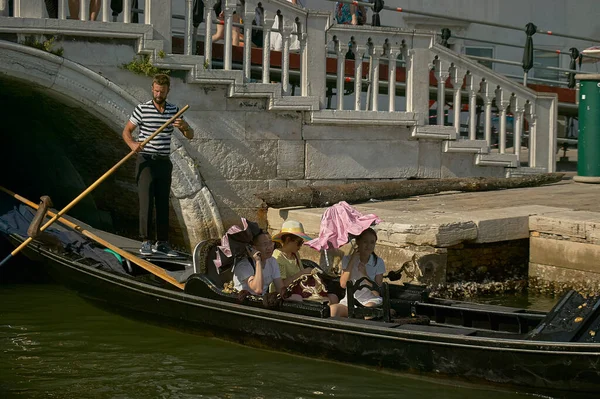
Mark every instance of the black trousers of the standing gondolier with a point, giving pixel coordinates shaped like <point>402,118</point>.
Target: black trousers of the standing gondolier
<point>153,176</point>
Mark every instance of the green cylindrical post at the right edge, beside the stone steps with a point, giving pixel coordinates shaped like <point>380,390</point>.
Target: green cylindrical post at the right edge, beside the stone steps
<point>588,146</point>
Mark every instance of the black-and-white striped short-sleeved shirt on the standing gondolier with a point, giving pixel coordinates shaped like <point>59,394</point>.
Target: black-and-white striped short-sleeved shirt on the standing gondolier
<point>149,119</point>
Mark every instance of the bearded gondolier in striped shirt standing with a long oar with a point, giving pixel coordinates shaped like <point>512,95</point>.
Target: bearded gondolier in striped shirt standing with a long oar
<point>154,167</point>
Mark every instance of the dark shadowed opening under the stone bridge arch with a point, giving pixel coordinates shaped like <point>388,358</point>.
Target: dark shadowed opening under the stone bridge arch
<point>61,150</point>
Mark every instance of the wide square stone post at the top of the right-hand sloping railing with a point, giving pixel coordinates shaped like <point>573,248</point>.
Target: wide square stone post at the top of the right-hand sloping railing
<point>417,84</point>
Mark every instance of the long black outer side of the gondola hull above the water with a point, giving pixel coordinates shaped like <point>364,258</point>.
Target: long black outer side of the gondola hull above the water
<point>449,352</point>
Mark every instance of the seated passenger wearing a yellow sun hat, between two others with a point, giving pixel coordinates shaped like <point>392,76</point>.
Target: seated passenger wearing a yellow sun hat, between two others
<point>291,237</point>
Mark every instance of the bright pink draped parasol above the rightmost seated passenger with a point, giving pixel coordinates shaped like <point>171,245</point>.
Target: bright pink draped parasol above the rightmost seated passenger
<point>339,223</point>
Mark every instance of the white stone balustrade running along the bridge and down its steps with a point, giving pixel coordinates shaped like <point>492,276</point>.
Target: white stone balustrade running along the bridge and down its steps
<point>317,38</point>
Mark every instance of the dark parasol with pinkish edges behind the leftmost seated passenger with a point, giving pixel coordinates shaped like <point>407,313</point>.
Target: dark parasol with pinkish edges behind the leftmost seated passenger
<point>234,243</point>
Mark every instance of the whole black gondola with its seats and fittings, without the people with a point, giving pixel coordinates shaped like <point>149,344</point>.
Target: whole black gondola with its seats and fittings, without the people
<point>542,352</point>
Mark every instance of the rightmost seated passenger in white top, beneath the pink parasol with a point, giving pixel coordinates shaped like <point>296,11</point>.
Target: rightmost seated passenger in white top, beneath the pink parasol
<point>361,262</point>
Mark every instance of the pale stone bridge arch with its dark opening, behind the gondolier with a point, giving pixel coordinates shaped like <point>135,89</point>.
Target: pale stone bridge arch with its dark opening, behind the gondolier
<point>62,123</point>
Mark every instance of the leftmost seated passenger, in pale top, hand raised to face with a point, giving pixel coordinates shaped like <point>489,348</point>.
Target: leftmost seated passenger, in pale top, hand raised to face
<point>257,273</point>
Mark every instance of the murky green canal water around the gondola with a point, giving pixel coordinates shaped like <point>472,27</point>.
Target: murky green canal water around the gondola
<point>54,344</point>
